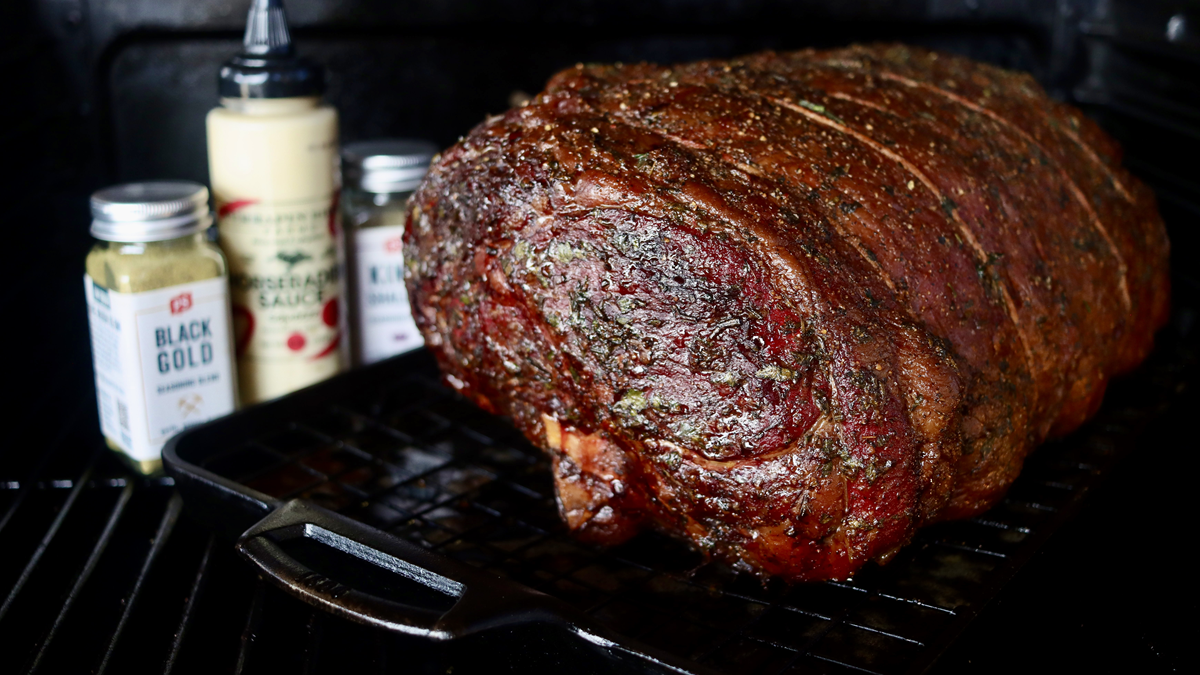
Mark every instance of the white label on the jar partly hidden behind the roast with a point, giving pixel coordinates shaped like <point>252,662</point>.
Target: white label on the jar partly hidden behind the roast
<point>387,327</point>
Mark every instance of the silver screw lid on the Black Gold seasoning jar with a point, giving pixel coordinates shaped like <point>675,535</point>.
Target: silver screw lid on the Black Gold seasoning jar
<point>151,212</point>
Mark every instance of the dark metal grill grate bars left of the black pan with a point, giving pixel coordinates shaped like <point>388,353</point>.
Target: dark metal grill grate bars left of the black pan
<point>101,572</point>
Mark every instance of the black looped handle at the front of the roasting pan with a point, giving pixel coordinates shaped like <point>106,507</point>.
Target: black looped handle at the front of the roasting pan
<point>377,580</point>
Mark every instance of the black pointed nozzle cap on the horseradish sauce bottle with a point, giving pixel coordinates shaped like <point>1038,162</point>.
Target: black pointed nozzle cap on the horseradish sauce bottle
<point>267,67</point>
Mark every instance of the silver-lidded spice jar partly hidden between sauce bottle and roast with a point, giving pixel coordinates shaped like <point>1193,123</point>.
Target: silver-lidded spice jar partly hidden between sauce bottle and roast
<point>380,178</point>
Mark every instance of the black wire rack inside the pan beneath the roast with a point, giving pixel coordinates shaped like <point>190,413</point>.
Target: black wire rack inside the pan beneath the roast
<point>418,462</point>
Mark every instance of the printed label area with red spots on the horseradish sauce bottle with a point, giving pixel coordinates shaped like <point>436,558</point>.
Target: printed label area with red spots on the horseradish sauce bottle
<point>284,279</point>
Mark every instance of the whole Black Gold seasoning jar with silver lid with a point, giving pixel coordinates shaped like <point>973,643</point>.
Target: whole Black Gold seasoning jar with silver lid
<point>159,315</point>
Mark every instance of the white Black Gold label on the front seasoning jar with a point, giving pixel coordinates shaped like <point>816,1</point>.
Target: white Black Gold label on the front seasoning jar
<point>163,361</point>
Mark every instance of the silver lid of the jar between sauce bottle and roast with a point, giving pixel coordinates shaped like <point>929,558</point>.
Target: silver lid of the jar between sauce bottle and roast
<point>393,165</point>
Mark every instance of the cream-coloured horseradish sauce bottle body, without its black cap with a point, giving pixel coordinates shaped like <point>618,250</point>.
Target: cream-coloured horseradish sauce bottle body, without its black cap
<point>278,158</point>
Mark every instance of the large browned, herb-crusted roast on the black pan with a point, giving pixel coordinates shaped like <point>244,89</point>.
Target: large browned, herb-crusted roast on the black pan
<point>789,308</point>
